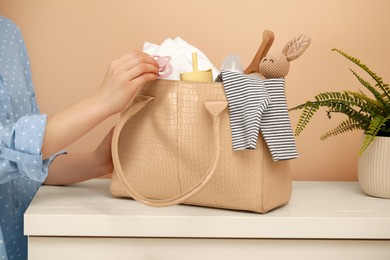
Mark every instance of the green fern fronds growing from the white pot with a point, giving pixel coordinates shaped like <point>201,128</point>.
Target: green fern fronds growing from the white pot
<point>370,114</point>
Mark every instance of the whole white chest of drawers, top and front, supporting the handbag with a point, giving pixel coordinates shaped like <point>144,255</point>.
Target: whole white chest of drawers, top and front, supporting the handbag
<point>323,220</point>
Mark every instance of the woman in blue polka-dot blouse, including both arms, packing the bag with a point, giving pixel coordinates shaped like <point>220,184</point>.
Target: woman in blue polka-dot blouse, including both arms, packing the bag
<point>31,143</point>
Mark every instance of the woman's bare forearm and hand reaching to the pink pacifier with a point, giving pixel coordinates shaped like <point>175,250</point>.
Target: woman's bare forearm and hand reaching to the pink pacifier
<point>125,76</point>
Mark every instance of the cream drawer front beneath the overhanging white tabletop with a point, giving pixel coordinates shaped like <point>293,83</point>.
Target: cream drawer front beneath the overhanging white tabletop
<point>66,248</point>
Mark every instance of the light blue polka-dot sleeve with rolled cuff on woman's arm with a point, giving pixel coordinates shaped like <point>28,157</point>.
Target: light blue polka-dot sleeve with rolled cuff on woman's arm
<point>22,128</point>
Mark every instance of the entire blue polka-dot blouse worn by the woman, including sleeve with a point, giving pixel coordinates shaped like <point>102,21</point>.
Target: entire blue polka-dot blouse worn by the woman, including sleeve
<point>22,128</point>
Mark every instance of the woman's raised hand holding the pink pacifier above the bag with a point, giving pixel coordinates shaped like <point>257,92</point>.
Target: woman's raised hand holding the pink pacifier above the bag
<point>124,78</point>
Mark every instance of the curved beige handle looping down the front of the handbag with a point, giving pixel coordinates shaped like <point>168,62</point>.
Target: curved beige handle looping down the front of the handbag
<point>215,108</point>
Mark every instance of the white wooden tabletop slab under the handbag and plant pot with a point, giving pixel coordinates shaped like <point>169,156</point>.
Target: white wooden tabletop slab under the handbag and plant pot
<point>336,210</point>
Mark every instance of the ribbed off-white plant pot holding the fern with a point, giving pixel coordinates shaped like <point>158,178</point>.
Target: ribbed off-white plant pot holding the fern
<point>374,168</point>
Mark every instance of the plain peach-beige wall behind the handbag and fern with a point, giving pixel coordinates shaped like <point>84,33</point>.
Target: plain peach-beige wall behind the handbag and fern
<point>71,43</point>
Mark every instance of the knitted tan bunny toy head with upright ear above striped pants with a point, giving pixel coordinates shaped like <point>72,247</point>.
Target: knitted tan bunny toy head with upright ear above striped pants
<point>277,65</point>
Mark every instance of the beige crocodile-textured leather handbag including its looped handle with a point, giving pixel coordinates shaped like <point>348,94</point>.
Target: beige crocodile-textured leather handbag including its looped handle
<point>173,145</point>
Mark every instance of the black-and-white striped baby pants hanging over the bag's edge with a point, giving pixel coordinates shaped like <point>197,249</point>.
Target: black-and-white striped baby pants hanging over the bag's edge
<point>259,105</point>
